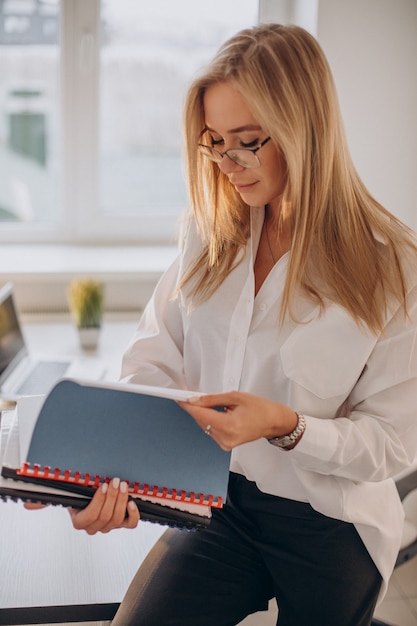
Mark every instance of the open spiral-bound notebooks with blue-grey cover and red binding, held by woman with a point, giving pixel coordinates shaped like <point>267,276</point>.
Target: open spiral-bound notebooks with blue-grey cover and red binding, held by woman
<point>60,449</point>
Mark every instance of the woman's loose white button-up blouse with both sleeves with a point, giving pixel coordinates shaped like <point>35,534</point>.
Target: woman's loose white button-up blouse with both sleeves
<point>325,369</point>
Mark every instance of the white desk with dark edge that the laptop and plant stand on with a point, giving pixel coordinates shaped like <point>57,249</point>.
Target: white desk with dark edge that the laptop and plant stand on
<point>51,573</point>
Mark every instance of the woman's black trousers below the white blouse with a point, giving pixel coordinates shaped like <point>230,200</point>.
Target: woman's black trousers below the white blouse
<point>257,547</point>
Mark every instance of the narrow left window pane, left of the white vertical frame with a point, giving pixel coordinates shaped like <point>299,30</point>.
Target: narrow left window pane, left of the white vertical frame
<point>29,111</point>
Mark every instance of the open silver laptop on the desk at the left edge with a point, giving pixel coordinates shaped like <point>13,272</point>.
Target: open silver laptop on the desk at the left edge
<point>23,374</point>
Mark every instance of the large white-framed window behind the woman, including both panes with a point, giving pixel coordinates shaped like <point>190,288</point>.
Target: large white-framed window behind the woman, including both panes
<point>91,112</point>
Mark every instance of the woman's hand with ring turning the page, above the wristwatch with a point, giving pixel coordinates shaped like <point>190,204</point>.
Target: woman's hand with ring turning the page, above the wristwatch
<point>245,417</point>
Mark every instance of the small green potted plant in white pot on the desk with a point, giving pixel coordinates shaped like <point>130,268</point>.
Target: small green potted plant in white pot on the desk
<point>86,298</point>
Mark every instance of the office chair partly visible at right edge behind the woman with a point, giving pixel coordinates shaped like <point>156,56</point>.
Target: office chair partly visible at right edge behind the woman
<point>407,489</point>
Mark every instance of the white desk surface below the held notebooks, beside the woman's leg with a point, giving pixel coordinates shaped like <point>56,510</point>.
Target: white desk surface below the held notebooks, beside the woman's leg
<point>45,562</point>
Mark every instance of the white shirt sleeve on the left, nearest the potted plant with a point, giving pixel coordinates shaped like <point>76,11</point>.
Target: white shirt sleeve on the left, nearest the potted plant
<point>155,353</point>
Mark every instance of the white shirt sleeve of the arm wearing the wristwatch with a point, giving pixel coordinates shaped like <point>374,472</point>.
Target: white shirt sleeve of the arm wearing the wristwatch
<point>376,438</point>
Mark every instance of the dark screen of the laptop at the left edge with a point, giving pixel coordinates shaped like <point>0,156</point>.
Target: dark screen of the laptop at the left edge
<point>12,344</point>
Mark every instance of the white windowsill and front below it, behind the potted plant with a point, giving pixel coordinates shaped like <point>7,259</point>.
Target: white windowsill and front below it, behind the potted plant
<point>41,273</point>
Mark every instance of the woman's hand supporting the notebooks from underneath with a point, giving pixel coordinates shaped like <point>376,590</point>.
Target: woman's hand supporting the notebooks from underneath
<point>109,508</point>
